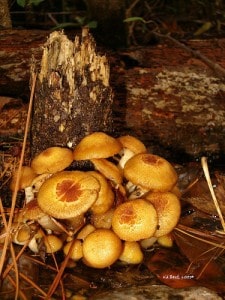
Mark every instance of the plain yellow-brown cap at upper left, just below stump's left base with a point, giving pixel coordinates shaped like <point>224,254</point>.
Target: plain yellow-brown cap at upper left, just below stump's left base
<point>52,160</point>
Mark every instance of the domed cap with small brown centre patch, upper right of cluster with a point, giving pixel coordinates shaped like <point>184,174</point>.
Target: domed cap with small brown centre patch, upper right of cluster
<point>150,171</point>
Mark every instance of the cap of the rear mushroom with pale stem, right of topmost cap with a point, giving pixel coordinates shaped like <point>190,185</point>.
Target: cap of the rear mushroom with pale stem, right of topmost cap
<point>132,143</point>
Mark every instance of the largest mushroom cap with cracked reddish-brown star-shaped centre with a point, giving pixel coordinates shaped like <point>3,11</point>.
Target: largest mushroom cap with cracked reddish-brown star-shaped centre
<point>68,194</point>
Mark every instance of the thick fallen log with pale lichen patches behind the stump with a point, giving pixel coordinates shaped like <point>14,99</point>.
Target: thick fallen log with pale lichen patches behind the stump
<point>163,95</point>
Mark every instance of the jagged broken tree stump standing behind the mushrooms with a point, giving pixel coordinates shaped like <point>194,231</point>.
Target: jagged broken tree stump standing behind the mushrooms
<point>72,93</point>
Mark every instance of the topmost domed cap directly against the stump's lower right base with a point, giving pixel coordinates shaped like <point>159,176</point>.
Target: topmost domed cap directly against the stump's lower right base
<point>96,145</point>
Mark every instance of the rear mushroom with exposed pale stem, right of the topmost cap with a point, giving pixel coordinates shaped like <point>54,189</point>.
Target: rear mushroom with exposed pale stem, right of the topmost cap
<point>131,146</point>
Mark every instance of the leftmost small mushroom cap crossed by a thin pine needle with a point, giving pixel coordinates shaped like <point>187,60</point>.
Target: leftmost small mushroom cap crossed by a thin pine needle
<point>26,175</point>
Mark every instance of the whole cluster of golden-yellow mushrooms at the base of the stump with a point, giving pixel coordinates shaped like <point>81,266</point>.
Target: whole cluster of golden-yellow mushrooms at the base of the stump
<point>125,203</point>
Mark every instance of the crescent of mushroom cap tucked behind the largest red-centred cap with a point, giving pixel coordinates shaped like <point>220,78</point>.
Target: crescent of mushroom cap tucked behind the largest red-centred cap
<point>105,196</point>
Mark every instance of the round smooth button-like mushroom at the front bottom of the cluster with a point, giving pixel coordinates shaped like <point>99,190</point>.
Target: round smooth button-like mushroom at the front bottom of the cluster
<point>101,248</point>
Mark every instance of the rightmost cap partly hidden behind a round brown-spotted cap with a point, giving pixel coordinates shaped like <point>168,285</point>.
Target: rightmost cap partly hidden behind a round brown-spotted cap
<point>168,209</point>
